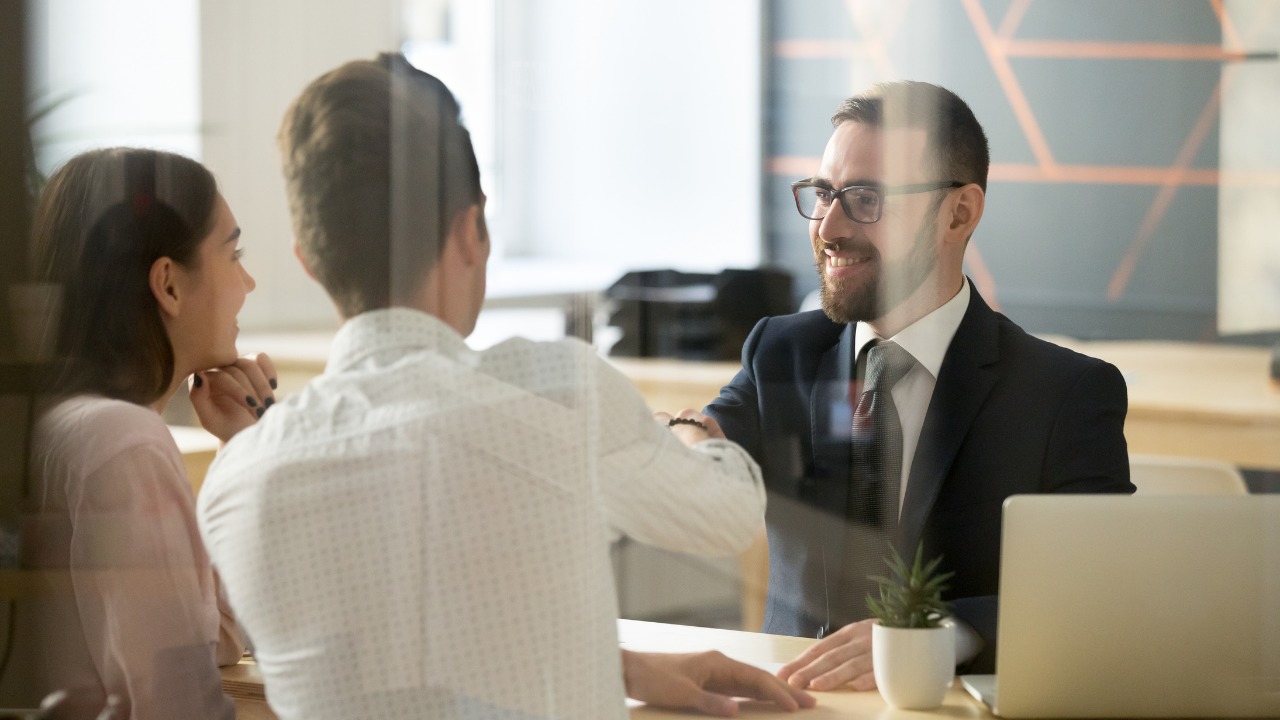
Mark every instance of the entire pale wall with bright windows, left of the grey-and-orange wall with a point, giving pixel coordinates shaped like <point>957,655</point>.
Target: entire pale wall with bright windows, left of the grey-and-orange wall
<point>615,135</point>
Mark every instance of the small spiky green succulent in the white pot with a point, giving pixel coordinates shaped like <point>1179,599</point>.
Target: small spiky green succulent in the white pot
<point>912,596</point>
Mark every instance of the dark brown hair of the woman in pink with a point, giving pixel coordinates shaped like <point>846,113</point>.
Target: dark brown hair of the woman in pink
<point>102,222</point>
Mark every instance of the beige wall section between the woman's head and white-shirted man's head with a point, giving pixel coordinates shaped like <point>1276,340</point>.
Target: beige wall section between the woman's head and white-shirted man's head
<point>257,57</point>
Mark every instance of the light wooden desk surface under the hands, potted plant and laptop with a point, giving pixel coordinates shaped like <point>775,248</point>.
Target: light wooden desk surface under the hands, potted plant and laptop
<point>244,683</point>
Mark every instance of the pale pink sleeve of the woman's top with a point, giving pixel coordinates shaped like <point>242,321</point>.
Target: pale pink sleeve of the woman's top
<point>144,587</point>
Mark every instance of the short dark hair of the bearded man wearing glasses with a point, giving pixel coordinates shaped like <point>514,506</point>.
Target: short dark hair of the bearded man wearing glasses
<point>957,143</point>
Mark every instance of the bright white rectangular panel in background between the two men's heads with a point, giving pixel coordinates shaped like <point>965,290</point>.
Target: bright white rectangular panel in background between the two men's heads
<point>632,131</point>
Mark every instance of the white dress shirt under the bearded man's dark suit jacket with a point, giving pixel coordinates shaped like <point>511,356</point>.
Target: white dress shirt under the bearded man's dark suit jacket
<point>927,340</point>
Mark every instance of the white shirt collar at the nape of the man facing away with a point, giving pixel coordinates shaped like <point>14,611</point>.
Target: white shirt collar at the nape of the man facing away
<point>394,329</point>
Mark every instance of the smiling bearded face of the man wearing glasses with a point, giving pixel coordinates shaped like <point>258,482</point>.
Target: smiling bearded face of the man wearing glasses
<point>870,271</point>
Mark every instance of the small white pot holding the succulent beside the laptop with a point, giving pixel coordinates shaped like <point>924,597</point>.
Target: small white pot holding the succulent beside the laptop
<point>915,667</point>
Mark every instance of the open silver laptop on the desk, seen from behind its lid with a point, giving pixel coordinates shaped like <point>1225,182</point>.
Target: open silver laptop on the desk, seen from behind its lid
<point>1131,607</point>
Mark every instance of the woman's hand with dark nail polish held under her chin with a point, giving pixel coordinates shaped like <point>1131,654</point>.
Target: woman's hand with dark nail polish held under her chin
<point>234,398</point>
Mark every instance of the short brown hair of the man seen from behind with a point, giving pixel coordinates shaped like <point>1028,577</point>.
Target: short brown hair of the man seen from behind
<point>377,165</point>
